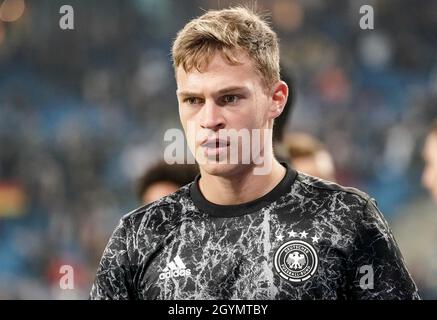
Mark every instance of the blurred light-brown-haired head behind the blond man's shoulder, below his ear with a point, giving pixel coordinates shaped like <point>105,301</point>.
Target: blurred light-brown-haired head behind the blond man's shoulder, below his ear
<point>308,155</point>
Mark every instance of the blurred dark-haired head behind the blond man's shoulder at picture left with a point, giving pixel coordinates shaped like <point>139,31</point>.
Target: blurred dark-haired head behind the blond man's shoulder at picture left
<point>163,179</point>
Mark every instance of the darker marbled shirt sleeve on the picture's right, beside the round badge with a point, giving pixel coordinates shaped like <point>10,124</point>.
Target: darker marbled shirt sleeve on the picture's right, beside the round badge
<point>376,267</point>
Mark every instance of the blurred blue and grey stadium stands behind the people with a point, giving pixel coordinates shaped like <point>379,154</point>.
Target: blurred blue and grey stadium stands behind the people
<point>83,113</point>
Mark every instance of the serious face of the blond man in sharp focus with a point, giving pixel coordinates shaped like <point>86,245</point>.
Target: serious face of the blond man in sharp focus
<point>224,96</point>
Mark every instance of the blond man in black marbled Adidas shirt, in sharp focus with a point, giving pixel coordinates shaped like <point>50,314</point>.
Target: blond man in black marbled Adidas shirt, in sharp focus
<point>240,231</point>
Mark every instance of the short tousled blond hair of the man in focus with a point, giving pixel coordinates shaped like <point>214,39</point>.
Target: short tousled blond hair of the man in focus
<point>227,31</point>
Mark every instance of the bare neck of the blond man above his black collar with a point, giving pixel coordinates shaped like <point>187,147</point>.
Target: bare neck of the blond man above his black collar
<point>240,188</point>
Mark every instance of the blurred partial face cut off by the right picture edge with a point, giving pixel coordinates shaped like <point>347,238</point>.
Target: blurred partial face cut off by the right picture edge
<point>429,176</point>
